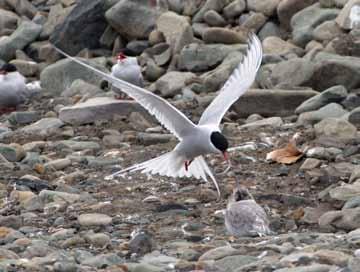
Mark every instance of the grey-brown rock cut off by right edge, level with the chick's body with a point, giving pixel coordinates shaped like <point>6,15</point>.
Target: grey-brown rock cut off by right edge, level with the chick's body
<point>347,219</point>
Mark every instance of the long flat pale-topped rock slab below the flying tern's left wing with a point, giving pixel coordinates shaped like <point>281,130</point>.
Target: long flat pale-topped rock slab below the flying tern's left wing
<point>99,108</point>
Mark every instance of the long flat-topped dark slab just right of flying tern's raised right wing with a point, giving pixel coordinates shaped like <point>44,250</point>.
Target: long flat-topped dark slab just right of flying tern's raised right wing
<point>271,102</point>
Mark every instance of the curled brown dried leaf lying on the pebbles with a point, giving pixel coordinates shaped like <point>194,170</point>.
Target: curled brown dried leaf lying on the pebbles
<point>287,155</point>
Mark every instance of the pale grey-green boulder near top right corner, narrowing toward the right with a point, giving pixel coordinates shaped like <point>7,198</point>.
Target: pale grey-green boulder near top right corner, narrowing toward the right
<point>305,21</point>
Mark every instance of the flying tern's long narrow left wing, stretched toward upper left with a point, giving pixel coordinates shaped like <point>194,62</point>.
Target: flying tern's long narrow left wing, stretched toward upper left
<point>170,117</point>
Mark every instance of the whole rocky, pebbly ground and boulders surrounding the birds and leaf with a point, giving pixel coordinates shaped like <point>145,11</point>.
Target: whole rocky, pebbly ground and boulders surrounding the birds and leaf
<point>58,213</point>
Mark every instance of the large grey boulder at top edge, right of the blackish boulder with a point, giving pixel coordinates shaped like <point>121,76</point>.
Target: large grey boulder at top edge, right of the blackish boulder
<point>134,19</point>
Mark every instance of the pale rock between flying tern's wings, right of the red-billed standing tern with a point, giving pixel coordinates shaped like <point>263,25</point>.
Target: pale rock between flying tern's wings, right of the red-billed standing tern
<point>171,83</point>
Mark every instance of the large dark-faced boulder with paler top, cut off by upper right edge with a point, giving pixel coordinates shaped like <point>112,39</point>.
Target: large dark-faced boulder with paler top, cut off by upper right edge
<point>333,70</point>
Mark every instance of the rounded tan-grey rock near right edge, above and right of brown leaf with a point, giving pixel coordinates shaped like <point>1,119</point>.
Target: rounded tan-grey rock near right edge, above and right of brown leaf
<point>337,128</point>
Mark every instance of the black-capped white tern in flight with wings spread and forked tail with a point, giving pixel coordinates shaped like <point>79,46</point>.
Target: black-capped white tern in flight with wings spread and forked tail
<point>186,159</point>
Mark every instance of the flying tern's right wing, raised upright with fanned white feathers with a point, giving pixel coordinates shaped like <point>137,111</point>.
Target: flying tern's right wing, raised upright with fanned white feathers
<point>237,84</point>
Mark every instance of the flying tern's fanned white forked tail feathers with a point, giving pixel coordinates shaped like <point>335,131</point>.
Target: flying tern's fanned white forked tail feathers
<point>172,165</point>
